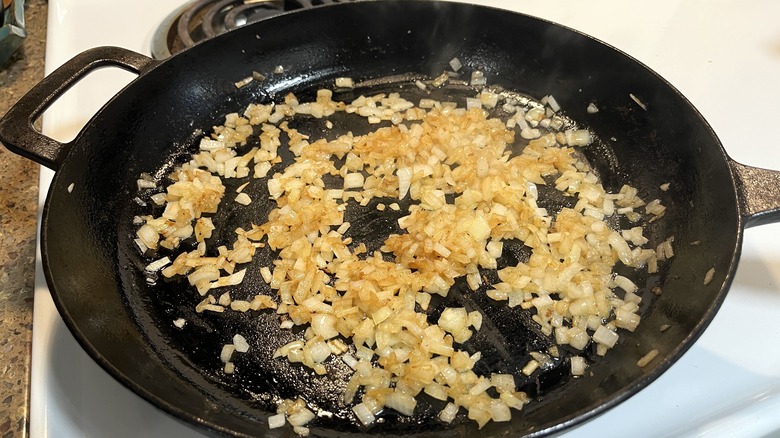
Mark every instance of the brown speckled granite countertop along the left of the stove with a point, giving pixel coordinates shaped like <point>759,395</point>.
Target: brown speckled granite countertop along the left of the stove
<point>18,220</point>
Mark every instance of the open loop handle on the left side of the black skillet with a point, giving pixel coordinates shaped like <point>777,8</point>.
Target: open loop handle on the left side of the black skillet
<point>17,132</point>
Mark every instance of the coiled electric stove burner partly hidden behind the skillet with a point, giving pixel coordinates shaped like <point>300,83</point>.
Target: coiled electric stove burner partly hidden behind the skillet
<point>202,19</point>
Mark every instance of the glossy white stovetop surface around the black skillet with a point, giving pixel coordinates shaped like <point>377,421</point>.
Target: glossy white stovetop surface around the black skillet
<point>723,55</point>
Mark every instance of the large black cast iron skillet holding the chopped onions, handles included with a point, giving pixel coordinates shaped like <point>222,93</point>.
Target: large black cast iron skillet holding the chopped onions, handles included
<point>95,271</point>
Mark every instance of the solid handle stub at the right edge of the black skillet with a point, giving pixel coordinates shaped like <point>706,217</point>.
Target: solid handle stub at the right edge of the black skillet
<point>759,193</point>
